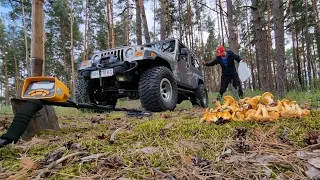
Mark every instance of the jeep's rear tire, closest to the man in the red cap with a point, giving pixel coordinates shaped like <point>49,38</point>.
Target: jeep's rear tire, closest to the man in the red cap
<point>200,98</point>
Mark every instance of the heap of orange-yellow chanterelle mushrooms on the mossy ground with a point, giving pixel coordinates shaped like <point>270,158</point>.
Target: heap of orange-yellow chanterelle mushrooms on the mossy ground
<point>259,108</point>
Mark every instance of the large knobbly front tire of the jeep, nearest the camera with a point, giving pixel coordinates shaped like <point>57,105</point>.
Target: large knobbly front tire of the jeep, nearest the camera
<point>151,97</point>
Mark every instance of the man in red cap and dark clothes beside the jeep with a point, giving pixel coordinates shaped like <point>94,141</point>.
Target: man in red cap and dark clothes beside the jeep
<point>229,73</point>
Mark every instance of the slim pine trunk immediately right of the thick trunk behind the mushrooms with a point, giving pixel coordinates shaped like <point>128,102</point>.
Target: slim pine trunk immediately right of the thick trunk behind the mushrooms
<point>297,75</point>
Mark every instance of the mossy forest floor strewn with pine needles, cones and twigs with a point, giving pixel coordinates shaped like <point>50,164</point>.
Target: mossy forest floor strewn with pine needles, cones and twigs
<point>166,145</point>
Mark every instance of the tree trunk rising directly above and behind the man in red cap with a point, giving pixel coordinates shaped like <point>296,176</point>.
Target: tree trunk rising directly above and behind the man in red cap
<point>232,36</point>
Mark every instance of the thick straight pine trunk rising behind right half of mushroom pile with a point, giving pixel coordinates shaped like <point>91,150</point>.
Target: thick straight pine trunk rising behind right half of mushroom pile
<point>280,51</point>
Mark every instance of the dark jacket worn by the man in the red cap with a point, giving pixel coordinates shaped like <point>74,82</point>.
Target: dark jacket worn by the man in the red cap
<point>231,68</point>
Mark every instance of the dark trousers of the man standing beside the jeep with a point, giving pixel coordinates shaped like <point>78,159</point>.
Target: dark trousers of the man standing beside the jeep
<point>234,79</point>
